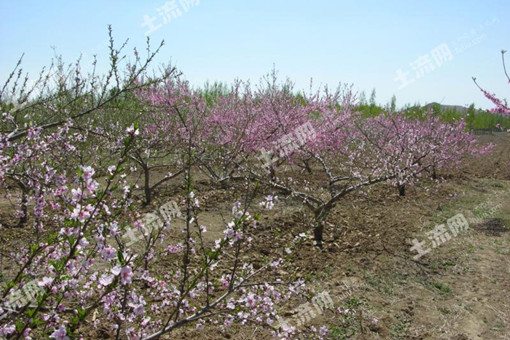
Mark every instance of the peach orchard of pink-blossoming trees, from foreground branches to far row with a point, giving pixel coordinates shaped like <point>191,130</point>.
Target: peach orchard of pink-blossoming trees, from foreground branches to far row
<point>70,144</point>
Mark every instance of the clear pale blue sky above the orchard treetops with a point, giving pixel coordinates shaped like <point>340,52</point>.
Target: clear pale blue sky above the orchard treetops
<point>437,45</point>
